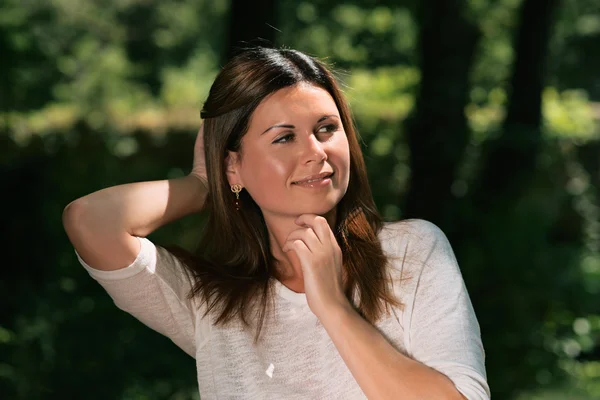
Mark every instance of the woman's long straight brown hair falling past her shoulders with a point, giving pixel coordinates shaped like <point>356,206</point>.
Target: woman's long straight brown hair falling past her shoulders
<point>233,266</point>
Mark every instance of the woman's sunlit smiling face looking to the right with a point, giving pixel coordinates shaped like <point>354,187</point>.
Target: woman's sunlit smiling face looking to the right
<point>295,157</point>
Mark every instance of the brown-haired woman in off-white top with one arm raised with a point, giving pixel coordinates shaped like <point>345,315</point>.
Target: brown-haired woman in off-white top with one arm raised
<point>298,290</point>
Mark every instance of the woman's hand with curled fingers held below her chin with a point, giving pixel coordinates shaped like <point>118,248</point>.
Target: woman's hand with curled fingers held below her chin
<point>320,258</point>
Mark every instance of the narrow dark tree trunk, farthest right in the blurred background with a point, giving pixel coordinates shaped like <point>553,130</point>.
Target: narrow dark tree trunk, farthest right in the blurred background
<point>509,161</point>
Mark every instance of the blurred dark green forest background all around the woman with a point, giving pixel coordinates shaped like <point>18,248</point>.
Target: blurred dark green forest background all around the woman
<point>482,116</point>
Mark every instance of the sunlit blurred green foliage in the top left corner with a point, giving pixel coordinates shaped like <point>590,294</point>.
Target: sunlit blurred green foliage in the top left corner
<point>95,54</point>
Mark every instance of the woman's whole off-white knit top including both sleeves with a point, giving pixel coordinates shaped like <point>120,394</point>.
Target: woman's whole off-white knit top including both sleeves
<point>295,358</point>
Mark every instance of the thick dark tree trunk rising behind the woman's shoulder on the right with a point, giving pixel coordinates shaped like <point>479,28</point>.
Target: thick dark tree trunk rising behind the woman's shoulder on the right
<point>437,131</point>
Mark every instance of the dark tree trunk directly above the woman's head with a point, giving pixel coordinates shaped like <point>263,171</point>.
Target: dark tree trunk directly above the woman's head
<point>251,23</point>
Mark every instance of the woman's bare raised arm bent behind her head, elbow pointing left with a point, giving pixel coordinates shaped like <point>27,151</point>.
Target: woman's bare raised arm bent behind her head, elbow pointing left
<point>103,225</point>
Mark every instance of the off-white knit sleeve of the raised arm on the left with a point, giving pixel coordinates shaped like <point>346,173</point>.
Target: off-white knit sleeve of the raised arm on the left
<point>154,289</point>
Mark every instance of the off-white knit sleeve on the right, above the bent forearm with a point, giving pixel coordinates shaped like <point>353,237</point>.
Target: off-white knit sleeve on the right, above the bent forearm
<point>443,332</point>
